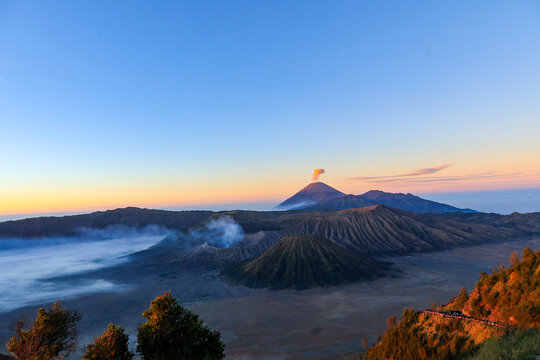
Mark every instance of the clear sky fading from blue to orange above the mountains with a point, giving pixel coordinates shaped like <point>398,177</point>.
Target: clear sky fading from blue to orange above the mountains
<point>193,103</point>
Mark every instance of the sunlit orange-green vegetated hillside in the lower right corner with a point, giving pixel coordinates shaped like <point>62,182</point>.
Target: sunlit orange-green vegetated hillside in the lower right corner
<point>509,297</point>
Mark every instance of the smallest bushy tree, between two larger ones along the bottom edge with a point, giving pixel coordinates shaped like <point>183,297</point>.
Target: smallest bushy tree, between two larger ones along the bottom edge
<point>112,345</point>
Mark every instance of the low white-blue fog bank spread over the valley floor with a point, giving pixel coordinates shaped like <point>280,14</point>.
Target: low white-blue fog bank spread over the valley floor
<point>30,268</point>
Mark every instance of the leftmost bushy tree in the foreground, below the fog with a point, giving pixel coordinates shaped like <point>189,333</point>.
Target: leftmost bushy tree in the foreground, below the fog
<point>53,334</point>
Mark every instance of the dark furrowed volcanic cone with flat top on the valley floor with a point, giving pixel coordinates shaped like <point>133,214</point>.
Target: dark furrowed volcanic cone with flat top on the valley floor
<point>303,262</point>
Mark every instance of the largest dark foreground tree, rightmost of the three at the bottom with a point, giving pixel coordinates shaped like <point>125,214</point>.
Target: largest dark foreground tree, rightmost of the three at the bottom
<point>172,332</point>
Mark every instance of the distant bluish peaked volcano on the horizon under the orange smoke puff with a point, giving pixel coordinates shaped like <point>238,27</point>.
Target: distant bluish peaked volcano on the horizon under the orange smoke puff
<point>319,196</point>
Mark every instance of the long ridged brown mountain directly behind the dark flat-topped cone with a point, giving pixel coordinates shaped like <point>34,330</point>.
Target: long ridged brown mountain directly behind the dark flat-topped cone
<point>382,230</point>
